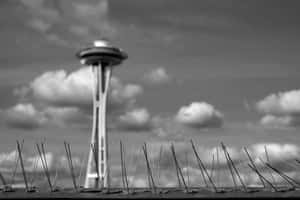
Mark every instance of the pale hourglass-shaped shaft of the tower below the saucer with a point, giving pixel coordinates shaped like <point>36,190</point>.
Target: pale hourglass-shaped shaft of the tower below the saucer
<point>97,174</point>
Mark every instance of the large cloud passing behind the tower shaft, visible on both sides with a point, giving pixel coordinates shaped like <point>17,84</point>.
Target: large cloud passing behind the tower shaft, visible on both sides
<point>60,89</point>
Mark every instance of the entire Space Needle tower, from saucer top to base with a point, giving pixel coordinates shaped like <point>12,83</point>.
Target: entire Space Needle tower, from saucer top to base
<point>101,57</point>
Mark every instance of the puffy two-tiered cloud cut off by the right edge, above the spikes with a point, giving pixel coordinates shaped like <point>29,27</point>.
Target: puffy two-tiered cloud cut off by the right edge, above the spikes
<point>281,109</point>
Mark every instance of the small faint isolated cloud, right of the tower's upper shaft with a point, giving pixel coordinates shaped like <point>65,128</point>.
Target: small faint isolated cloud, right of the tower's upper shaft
<point>157,76</point>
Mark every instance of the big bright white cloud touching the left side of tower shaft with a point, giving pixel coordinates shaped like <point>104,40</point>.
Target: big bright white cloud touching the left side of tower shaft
<point>60,88</point>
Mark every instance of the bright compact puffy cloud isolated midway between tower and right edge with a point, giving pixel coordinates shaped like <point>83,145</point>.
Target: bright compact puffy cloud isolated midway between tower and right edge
<point>200,115</point>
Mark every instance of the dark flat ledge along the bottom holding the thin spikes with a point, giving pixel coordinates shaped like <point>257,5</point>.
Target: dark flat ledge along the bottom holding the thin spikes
<point>146,193</point>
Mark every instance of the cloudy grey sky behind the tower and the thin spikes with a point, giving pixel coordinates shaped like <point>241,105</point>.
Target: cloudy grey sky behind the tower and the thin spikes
<point>210,71</point>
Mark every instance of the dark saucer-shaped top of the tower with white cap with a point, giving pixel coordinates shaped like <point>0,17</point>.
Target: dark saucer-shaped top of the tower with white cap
<point>101,53</point>
